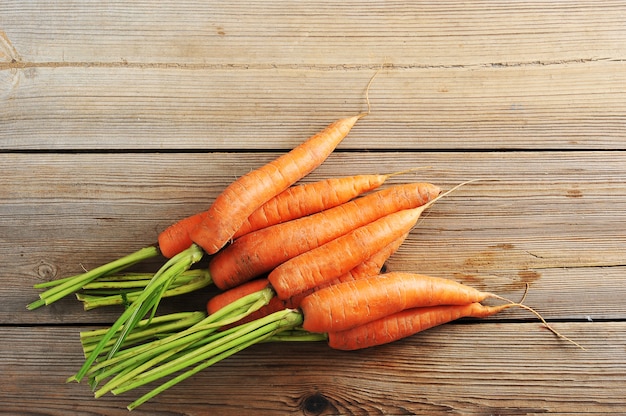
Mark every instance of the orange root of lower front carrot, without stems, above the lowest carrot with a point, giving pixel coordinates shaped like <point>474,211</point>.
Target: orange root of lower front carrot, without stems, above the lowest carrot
<point>350,304</point>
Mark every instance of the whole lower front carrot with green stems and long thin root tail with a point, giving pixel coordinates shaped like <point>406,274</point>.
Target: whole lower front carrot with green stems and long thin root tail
<point>191,352</point>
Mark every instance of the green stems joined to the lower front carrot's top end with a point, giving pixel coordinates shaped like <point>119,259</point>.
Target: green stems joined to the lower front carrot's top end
<point>255,331</point>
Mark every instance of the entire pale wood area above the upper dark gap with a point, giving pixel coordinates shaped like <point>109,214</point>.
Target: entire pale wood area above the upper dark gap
<point>488,75</point>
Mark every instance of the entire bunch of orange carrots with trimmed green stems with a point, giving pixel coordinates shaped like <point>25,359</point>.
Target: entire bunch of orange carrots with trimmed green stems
<point>293,262</point>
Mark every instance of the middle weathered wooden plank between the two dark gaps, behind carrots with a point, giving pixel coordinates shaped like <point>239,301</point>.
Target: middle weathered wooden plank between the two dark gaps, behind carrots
<point>552,219</point>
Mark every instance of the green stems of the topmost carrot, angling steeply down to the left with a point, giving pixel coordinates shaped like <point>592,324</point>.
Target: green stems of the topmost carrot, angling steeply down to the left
<point>146,300</point>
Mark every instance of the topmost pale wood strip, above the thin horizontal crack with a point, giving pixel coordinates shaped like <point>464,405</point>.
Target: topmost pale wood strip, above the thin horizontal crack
<point>314,33</point>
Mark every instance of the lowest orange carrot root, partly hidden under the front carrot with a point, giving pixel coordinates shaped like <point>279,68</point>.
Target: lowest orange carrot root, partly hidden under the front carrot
<point>406,323</point>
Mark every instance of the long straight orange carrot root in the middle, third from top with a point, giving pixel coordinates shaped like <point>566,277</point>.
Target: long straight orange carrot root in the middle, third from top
<point>261,251</point>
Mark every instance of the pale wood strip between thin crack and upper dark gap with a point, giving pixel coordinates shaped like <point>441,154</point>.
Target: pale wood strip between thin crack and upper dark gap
<point>570,105</point>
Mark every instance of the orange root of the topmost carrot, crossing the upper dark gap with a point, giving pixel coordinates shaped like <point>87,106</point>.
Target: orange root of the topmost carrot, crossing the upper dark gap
<point>243,196</point>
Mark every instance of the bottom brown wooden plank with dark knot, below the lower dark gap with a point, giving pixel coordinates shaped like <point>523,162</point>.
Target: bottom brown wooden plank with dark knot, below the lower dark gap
<point>506,369</point>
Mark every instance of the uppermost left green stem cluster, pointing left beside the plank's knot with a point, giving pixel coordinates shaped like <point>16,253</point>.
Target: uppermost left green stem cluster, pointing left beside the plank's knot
<point>73,284</point>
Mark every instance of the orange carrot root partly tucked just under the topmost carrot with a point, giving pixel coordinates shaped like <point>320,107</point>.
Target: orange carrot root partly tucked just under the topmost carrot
<point>310,198</point>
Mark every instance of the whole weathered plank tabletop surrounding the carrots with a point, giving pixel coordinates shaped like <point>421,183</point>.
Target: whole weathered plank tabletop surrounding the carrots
<point>118,118</point>
